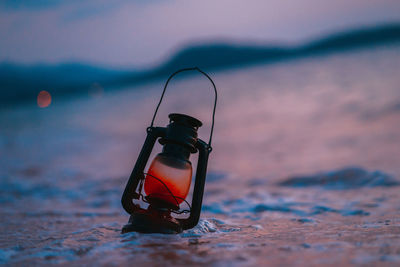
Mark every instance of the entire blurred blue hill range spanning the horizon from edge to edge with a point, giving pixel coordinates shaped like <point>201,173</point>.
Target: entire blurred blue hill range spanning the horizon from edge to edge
<point>21,83</point>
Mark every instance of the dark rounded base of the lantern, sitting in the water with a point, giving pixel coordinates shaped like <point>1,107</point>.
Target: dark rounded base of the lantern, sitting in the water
<point>152,222</point>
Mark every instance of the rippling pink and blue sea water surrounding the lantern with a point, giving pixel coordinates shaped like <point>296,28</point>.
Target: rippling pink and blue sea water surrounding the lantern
<point>305,169</point>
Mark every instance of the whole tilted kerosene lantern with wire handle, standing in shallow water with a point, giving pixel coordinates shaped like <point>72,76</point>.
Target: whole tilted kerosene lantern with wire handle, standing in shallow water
<point>166,183</point>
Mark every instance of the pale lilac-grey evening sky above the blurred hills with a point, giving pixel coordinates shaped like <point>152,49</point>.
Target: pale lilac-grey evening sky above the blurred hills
<point>143,33</point>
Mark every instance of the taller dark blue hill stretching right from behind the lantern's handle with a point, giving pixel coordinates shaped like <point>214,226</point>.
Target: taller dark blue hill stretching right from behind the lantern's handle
<point>220,56</point>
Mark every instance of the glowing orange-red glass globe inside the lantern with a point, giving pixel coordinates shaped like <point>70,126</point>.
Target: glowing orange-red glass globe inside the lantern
<point>168,179</point>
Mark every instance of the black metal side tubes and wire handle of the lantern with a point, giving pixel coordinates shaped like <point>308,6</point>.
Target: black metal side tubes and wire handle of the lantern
<point>134,185</point>
